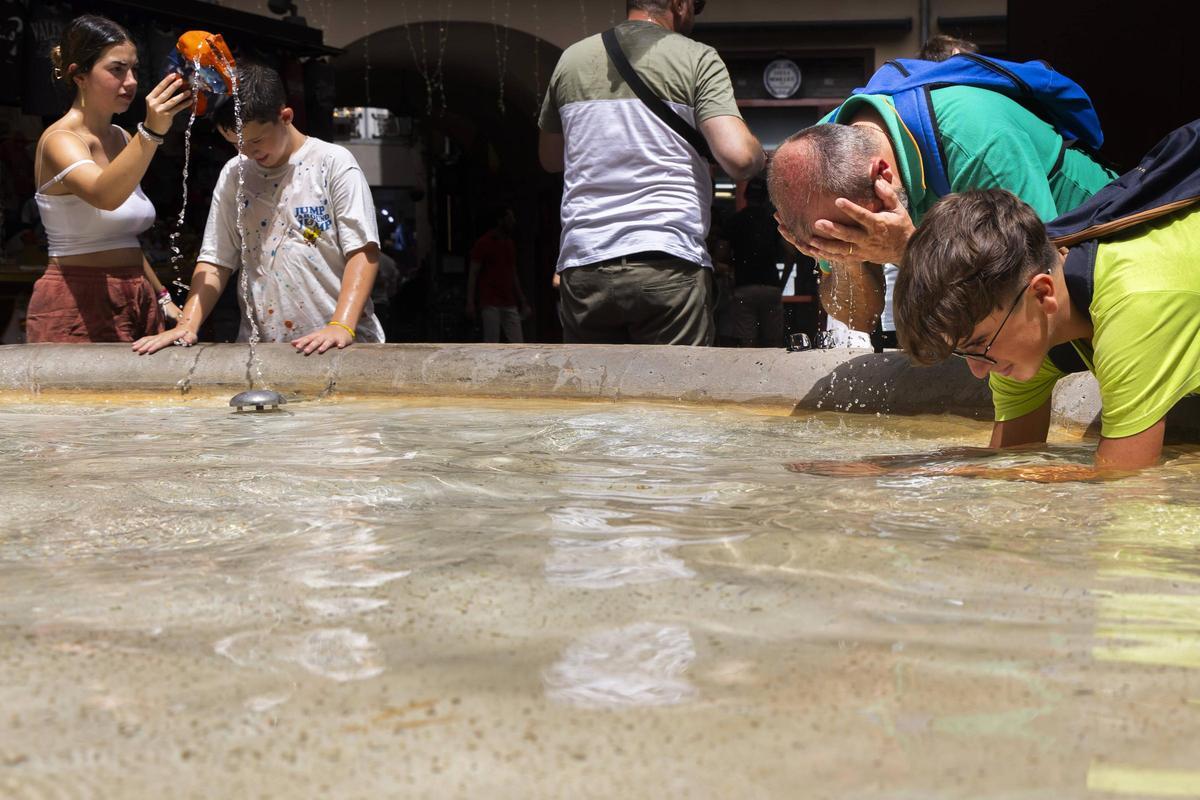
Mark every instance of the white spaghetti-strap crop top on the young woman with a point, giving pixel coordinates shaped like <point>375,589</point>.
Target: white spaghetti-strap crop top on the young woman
<point>75,227</point>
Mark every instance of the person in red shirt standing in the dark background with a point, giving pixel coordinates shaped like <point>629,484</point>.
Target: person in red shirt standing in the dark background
<point>494,278</point>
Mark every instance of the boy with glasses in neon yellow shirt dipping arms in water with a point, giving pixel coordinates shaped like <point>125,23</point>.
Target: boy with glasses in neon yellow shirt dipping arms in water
<point>981,281</point>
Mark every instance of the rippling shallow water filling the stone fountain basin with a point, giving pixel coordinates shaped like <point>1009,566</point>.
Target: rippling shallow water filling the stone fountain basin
<point>577,601</point>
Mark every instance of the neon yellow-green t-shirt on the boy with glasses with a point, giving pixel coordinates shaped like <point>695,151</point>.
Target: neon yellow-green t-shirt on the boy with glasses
<point>1145,348</point>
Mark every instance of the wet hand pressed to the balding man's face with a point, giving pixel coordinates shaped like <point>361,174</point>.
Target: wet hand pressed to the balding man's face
<point>877,237</point>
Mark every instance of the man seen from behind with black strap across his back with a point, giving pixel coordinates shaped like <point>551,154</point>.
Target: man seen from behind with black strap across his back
<point>637,196</point>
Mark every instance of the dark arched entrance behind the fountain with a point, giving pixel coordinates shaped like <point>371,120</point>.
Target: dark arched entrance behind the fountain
<point>467,97</point>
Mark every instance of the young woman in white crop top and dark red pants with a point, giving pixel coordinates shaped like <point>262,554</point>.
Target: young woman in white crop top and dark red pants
<point>99,286</point>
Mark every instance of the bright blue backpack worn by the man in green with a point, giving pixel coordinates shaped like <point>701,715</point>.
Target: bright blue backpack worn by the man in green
<point>1057,99</point>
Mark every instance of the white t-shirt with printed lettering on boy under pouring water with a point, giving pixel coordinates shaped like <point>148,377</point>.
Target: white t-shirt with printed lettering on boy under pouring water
<point>302,221</point>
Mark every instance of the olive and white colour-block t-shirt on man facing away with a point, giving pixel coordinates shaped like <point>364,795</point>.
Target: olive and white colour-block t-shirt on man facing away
<point>632,184</point>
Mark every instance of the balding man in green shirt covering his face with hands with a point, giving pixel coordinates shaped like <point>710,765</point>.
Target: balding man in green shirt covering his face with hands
<point>853,190</point>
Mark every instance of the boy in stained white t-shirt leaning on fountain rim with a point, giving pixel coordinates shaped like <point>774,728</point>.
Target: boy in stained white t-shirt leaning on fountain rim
<point>311,245</point>
